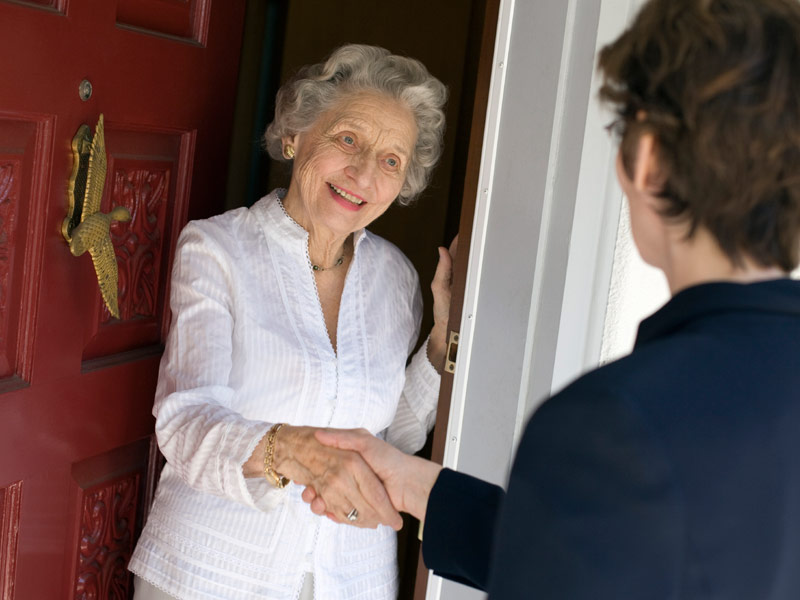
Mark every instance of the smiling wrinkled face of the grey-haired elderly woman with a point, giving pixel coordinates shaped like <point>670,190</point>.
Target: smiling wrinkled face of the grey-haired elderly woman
<point>351,165</point>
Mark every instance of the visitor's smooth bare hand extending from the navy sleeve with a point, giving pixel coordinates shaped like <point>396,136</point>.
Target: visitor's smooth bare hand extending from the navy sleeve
<point>408,479</point>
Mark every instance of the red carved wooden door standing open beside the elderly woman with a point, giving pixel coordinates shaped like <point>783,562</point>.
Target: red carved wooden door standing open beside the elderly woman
<point>76,385</point>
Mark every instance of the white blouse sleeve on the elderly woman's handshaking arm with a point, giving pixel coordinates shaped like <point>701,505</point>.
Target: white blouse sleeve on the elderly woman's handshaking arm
<point>202,437</point>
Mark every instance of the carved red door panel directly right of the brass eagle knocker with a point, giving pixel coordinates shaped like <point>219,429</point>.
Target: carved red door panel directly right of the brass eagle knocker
<point>149,174</point>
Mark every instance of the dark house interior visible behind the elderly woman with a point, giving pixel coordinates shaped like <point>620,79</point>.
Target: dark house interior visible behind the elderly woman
<point>283,35</point>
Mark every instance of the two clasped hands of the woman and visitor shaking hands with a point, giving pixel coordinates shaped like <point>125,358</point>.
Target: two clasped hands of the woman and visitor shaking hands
<point>354,478</point>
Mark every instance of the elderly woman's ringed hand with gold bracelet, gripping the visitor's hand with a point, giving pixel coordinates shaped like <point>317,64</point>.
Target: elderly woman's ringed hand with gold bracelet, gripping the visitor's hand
<point>341,477</point>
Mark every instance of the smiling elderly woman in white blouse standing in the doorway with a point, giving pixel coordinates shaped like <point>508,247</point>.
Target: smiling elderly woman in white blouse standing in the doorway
<point>290,316</point>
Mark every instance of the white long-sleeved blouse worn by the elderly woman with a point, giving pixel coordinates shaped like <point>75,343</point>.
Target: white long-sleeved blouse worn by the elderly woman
<point>248,347</point>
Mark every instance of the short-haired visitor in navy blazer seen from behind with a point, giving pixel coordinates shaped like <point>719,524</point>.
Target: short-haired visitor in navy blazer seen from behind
<point>673,472</point>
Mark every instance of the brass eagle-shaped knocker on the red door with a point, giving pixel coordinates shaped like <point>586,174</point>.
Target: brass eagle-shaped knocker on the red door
<point>85,227</point>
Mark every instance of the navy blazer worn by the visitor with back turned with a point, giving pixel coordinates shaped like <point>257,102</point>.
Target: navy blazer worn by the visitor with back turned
<point>671,473</point>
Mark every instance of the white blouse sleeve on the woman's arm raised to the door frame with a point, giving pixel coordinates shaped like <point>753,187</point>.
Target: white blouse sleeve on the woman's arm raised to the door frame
<point>416,409</point>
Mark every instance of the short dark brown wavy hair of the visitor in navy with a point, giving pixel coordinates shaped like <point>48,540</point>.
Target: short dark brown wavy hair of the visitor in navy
<point>717,83</point>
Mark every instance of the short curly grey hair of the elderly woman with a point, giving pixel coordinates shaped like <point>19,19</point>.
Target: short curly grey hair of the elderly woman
<point>356,68</point>
